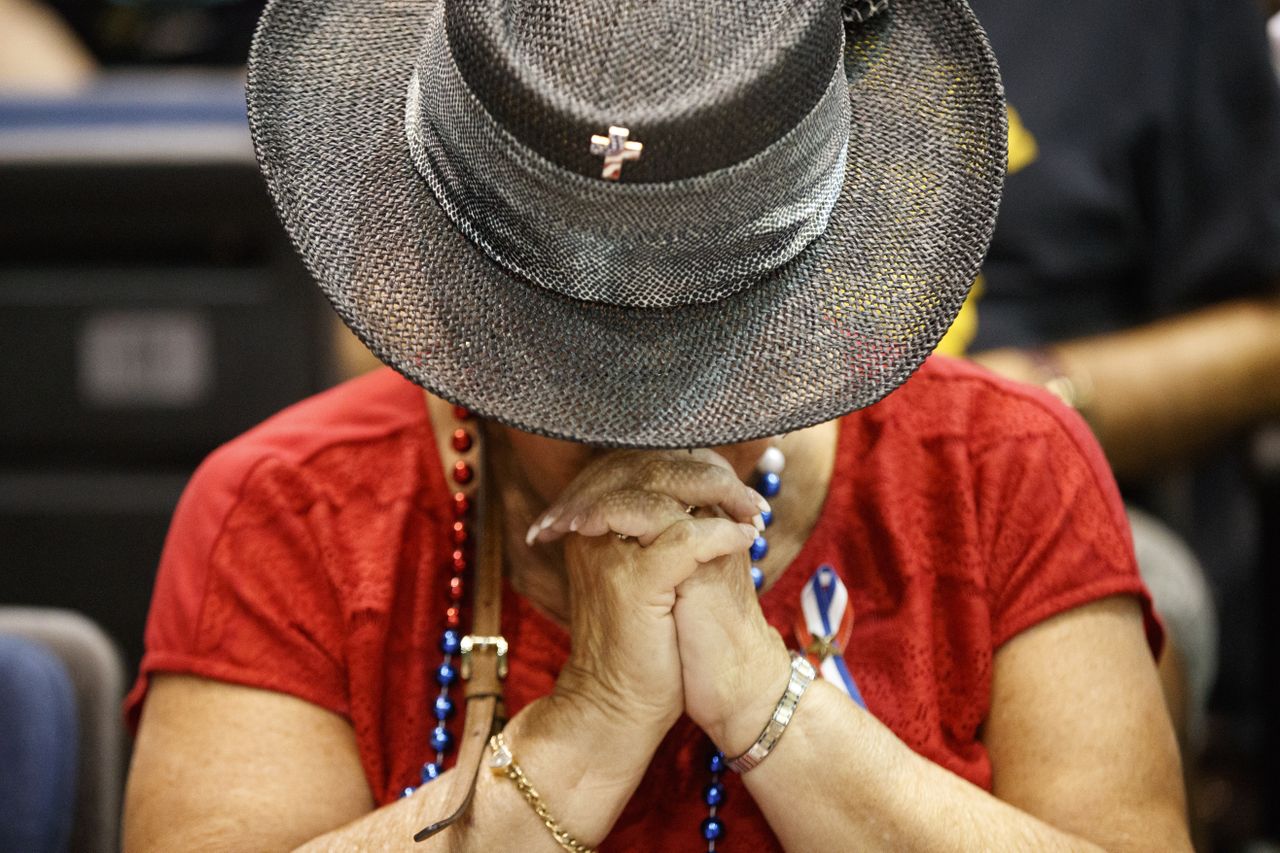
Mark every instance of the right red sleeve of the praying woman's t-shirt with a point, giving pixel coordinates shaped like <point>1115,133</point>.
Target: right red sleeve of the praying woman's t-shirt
<point>1053,522</point>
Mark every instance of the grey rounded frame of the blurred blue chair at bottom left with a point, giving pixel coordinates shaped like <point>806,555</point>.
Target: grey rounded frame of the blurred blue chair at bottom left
<point>98,677</point>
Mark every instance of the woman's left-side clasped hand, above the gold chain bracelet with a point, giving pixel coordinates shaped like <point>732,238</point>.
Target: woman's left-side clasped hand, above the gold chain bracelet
<point>624,594</point>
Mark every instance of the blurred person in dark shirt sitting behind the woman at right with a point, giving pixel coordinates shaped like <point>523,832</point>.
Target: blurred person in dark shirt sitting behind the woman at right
<point>1136,272</point>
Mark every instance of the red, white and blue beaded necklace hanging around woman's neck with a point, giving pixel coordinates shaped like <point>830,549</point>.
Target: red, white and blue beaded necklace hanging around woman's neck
<point>463,475</point>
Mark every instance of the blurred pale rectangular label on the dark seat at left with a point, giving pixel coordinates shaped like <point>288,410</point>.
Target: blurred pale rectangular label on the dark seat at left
<point>147,359</point>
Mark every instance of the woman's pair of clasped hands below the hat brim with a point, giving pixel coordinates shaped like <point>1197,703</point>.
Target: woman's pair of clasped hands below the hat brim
<point>664,613</point>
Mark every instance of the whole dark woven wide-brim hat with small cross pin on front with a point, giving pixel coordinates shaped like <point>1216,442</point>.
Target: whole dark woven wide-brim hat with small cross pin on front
<point>465,180</point>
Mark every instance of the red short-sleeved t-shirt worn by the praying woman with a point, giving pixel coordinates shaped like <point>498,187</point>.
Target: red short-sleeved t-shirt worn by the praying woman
<point>310,556</point>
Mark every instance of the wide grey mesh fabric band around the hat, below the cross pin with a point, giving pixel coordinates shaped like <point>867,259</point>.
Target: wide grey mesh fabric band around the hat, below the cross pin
<point>642,245</point>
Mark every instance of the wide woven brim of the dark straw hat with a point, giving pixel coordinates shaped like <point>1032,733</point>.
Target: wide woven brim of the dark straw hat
<point>835,330</point>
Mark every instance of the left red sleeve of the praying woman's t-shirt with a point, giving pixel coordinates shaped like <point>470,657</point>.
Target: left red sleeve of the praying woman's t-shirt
<point>243,595</point>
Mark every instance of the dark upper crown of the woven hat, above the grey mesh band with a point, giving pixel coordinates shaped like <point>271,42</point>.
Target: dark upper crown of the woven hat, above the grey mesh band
<point>701,85</point>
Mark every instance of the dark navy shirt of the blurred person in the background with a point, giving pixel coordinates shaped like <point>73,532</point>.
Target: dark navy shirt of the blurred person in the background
<point>1156,186</point>
